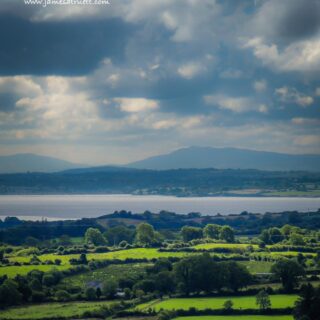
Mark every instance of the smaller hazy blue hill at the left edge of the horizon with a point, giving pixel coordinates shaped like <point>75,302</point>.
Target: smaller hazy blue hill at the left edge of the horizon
<point>33,163</point>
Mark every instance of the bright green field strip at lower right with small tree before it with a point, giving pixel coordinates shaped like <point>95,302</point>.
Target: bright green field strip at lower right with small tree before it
<point>249,302</point>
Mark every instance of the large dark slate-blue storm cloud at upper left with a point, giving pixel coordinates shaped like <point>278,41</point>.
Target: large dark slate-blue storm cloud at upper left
<point>59,48</point>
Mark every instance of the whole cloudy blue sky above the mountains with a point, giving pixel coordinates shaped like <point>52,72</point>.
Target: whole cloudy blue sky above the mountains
<point>118,82</point>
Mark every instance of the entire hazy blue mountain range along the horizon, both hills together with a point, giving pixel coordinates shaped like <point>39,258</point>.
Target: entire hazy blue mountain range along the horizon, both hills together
<point>191,157</point>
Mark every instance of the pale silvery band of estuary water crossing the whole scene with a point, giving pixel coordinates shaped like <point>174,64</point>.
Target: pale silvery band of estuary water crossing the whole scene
<point>54,207</point>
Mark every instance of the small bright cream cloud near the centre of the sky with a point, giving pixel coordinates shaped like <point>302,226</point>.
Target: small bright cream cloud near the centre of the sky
<point>133,105</point>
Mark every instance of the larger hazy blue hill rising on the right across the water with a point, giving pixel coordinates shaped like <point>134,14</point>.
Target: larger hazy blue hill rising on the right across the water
<point>225,158</point>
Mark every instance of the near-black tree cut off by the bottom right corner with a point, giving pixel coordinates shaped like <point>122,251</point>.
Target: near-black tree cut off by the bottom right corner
<point>307,306</point>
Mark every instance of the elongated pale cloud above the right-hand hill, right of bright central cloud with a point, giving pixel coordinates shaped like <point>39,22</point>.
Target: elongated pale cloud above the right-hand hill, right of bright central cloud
<point>234,104</point>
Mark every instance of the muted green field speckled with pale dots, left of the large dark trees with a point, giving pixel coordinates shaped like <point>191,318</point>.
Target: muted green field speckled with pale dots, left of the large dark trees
<point>115,272</point>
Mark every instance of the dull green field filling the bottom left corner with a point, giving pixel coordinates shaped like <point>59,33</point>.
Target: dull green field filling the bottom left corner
<point>52,310</point>
